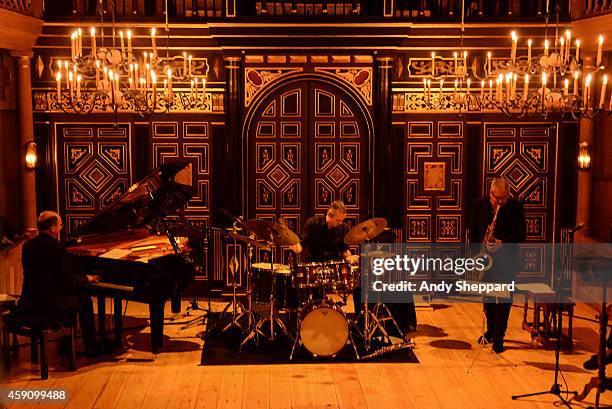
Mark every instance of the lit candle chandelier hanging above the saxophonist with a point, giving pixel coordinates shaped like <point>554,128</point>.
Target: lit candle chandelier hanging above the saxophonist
<point>554,70</point>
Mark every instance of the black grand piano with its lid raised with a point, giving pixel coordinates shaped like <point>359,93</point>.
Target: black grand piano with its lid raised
<point>134,261</point>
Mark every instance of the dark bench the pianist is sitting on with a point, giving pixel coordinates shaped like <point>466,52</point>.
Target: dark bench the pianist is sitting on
<point>39,340</point>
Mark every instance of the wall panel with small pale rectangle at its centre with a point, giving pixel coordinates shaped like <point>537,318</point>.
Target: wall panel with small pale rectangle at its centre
<point>434,180</point>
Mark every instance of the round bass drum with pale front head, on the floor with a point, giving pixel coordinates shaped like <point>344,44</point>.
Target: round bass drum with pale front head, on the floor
<point>324,329</point>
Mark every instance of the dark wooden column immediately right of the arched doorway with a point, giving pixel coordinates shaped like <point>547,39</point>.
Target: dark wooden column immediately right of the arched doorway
<point>384,177</point>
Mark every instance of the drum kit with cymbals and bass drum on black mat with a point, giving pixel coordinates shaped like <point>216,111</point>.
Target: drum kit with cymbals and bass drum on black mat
<point>296,297</point>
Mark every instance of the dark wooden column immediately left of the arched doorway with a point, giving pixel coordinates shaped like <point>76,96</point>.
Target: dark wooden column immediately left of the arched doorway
<point>233,138</point>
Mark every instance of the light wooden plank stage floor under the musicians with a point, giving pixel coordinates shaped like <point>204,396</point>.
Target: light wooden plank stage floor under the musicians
<point>445,345</point>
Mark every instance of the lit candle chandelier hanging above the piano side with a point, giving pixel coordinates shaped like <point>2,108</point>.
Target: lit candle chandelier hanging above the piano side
<point>109,79</point>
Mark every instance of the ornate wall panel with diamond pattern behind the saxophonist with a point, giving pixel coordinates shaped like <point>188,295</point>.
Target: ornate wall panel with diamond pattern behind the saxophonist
<point>526,155</point>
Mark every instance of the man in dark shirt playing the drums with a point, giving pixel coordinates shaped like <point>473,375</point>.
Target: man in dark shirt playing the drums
<point>323,236</point>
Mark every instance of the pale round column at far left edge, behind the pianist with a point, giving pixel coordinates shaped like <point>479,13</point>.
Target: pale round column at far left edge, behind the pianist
<point>26,135</point>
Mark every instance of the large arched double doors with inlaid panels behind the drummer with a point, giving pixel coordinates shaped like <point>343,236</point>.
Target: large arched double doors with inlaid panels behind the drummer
<point>308,144</point>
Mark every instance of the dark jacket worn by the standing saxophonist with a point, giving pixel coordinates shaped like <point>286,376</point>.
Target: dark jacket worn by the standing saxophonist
<point>509,228</point>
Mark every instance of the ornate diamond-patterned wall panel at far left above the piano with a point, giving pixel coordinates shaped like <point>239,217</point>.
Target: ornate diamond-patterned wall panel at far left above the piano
<point>93,168</point>
